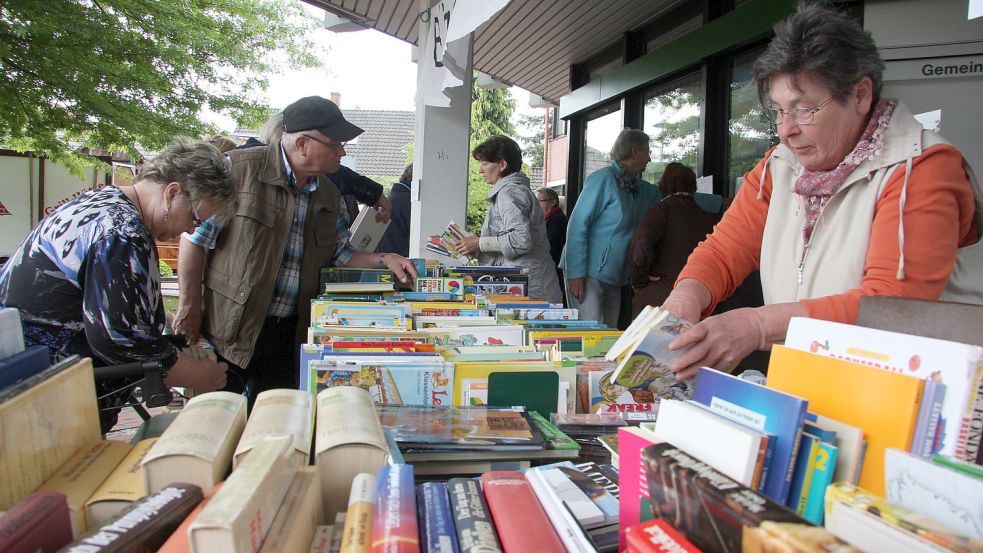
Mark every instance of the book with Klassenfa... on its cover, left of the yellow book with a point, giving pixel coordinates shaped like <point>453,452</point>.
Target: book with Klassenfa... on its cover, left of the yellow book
<point>389,383</point>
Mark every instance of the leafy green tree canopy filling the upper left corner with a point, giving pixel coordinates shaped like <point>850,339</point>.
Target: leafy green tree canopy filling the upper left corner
<point>109,74</point>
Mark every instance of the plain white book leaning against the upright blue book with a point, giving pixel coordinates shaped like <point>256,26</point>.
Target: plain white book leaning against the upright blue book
<point>727,446</point>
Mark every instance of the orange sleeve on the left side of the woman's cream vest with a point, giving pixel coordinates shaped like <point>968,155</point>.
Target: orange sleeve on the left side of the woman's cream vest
<point>733,250</point>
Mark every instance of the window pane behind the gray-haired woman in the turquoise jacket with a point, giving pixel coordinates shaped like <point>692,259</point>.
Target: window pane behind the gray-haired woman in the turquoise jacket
<point>673,118</point>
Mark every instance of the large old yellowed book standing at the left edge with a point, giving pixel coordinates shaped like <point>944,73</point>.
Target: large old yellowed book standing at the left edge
<point>44,420</point>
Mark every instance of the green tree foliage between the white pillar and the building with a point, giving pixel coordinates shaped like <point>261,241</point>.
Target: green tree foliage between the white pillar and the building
<point>491,114</point>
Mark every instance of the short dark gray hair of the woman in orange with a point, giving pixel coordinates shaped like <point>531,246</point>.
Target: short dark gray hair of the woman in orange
<point>825,44</point>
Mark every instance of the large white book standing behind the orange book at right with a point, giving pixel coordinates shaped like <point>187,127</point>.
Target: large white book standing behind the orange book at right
<point>958,366</point>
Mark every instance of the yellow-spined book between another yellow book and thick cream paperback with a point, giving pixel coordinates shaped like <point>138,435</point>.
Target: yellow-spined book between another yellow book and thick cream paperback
<point>124,486</point>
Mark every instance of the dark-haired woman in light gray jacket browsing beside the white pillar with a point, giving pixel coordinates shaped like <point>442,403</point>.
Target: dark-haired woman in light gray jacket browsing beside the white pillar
<point>514,232</point>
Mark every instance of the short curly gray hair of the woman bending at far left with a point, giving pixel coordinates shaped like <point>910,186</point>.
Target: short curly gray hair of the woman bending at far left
<point>203,172</point>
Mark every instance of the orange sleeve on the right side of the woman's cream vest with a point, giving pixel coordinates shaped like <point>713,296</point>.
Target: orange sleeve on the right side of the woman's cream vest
<point>938,219</point>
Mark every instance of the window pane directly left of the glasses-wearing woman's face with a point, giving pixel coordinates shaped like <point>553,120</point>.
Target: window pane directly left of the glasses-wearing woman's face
<point>751,133</point>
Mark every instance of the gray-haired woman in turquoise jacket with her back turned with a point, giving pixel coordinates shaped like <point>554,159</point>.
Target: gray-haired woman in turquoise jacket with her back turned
<point>599,231</point>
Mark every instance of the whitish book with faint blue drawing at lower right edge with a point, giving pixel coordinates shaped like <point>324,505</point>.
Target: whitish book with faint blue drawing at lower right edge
<point>947,496</point>
